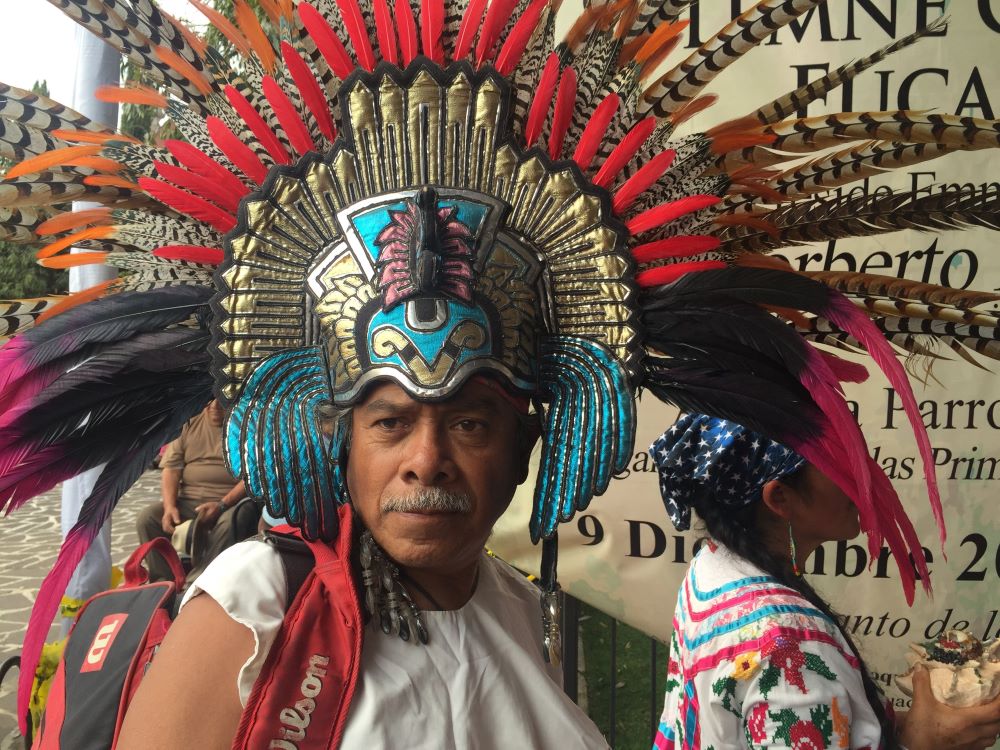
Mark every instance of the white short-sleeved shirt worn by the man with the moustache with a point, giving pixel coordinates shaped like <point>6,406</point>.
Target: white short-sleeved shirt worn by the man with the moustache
<point>481,682</point>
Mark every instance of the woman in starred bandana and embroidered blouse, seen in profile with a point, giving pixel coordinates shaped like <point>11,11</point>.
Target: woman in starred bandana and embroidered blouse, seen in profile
<point>757,658</point>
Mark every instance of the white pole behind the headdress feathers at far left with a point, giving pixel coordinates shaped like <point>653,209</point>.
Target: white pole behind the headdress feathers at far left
<point>97,64</point>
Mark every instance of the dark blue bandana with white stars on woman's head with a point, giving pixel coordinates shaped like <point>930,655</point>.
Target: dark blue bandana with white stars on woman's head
<point>702,455</point>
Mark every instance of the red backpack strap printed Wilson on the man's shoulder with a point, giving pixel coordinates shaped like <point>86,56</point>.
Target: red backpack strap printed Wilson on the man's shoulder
<point>301,699</point>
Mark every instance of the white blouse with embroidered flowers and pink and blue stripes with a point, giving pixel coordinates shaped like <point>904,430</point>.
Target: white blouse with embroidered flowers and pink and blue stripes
<point>752,659</point>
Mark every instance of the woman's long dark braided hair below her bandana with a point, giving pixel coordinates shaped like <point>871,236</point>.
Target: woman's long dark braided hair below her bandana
<point>737,529</point>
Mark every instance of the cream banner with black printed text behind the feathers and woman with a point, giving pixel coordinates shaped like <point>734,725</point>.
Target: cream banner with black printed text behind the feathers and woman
<point>623,556</point>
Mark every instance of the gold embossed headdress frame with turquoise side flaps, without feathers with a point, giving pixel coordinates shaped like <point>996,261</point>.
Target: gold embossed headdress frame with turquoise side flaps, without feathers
<point>425,246</point>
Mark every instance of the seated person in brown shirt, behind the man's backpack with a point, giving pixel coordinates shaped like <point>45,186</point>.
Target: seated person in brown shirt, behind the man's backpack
<point>195,483</point>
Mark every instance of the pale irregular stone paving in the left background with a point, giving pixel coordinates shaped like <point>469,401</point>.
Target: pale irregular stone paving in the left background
<point>29,541</point>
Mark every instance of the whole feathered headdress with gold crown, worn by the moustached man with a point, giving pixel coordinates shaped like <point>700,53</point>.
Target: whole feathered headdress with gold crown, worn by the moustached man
<point>429,190</point>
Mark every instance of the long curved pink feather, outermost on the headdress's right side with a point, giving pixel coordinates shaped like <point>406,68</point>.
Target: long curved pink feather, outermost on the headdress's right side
<point>842,313</point>
